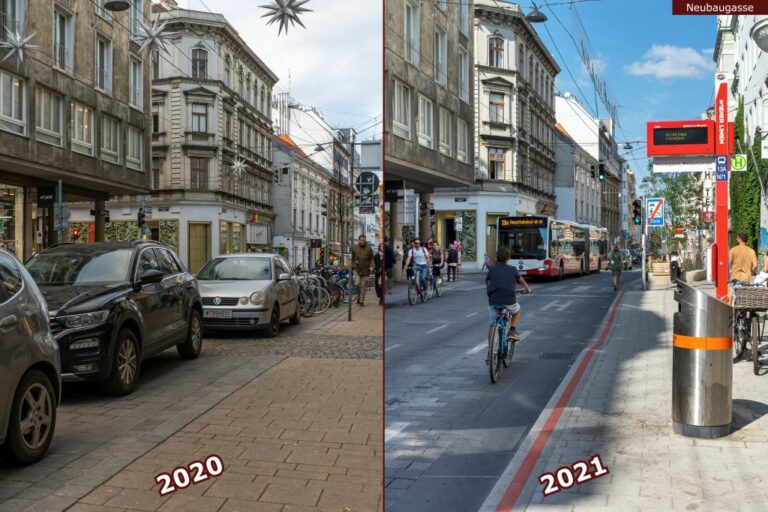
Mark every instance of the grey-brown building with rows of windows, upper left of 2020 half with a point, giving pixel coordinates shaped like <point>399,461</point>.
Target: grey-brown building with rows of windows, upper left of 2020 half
<point>77,109</point>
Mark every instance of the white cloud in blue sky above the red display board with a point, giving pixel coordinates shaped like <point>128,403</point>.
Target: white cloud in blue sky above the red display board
<point>666,61</point>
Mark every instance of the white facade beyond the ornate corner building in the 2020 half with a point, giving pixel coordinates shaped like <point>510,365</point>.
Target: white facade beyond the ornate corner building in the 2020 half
<point>300,193</point>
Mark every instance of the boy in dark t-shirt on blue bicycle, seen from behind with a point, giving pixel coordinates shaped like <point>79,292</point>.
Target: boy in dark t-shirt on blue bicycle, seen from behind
<point>501,282</point>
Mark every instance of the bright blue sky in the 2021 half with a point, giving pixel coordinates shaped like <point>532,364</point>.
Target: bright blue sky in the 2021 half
<point>658,66</point>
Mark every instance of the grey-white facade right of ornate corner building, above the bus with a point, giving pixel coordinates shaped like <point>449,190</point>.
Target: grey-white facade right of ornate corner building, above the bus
<point>576,181</point>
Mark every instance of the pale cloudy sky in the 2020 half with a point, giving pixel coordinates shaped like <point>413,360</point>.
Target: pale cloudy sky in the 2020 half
<point>335,64</point>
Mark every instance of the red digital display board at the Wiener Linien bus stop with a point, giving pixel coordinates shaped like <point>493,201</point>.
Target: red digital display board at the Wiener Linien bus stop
<point>681,138</point>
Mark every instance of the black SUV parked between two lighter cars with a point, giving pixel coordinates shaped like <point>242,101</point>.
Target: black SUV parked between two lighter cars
<point>114,304</point>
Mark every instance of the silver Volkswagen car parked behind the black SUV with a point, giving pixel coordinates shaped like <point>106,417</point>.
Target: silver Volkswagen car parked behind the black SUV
<point>249,291</point>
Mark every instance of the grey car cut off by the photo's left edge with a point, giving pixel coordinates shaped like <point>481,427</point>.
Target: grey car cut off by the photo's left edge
<point>30,370</point>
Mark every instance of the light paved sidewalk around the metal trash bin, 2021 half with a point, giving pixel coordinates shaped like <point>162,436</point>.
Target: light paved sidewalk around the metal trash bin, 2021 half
<point>621,410</point>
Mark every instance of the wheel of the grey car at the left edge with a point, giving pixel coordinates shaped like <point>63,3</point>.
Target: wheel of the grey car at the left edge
<point>32,421</point>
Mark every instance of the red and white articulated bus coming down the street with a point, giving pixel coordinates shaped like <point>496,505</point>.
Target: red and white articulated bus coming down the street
<point>542,246</point>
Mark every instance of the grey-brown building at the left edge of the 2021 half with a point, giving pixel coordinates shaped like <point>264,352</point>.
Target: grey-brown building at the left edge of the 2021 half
<point>429,102</point>
